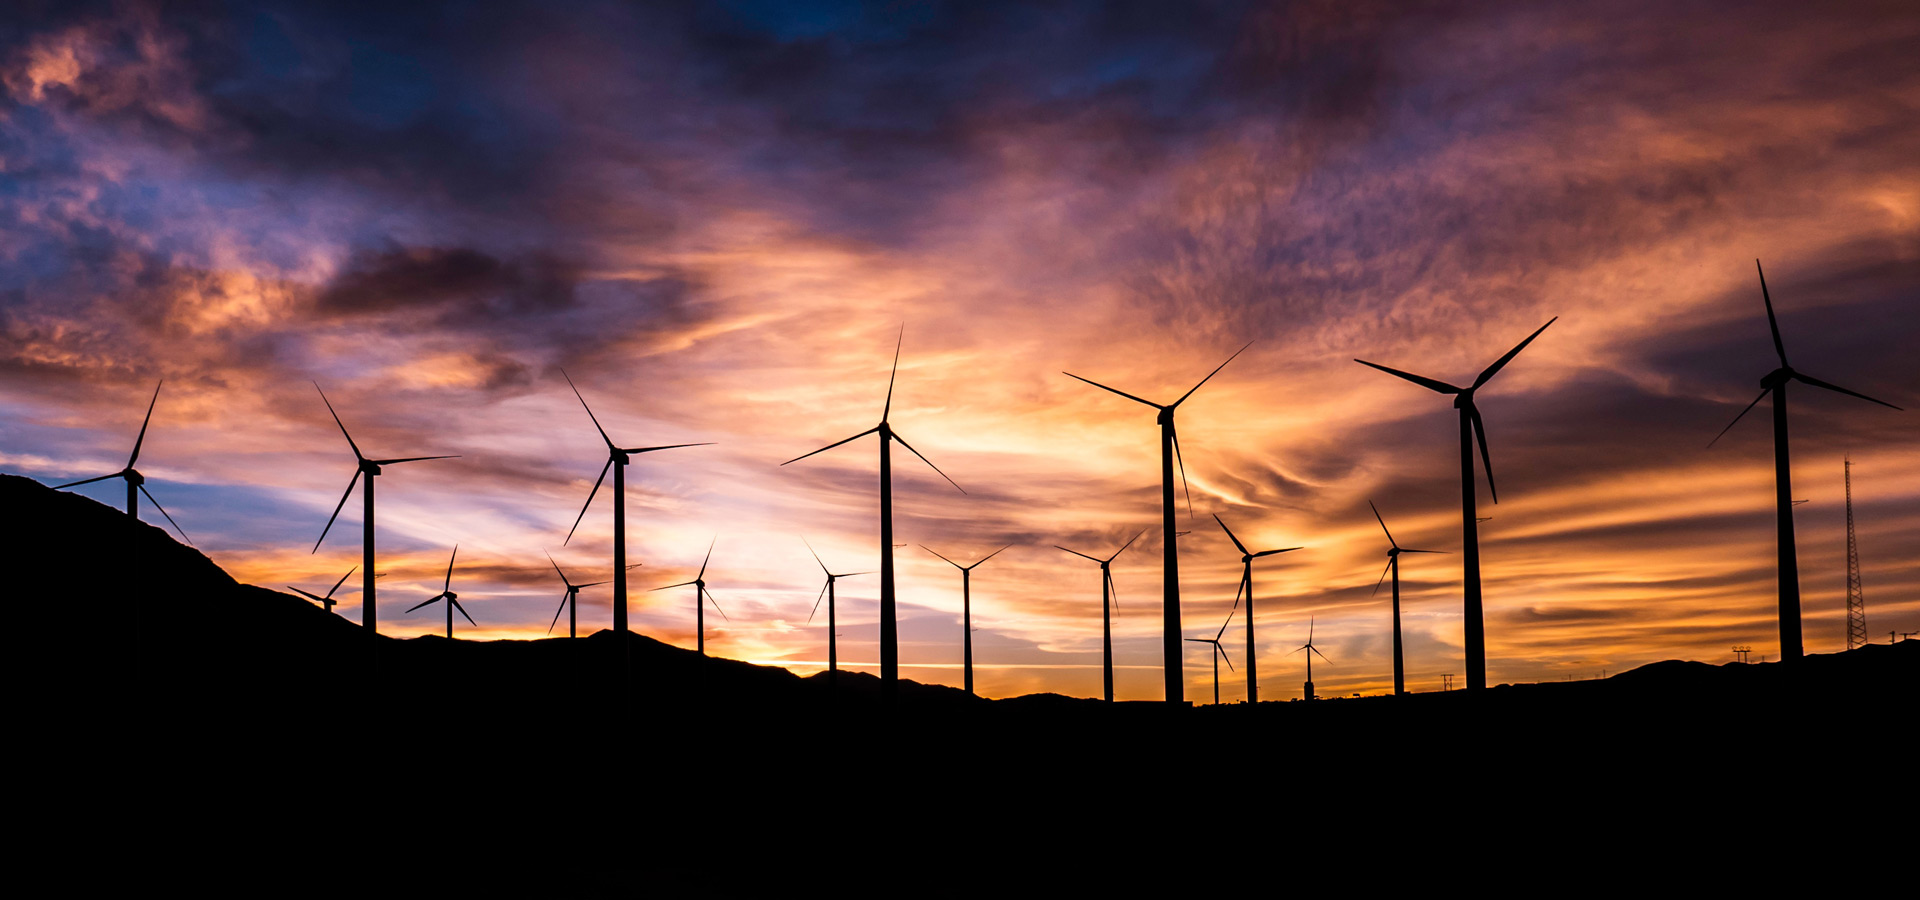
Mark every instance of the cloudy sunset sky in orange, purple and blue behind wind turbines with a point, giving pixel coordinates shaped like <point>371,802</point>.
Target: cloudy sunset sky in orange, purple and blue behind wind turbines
<point>717,218</point>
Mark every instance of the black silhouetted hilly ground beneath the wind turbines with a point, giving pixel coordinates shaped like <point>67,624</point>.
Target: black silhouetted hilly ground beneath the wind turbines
<point>272,747</point>
